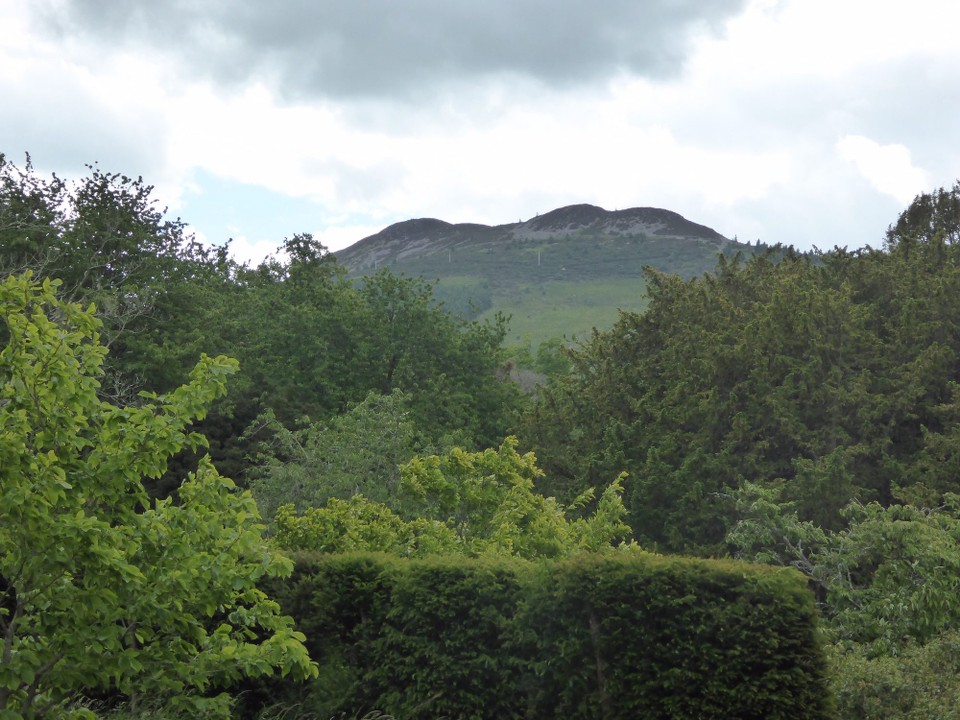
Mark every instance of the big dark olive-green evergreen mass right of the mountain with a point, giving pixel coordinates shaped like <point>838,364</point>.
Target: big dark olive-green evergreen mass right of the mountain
<point>836,373</point>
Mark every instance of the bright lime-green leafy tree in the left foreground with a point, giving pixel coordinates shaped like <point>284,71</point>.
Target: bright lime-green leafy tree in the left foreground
<point>101,589</point>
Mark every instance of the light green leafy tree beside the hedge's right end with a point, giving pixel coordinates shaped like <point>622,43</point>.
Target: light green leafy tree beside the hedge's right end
<point>888,581</point>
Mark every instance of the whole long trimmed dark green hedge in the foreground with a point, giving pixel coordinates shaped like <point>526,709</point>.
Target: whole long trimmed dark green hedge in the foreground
<point>596,636</point>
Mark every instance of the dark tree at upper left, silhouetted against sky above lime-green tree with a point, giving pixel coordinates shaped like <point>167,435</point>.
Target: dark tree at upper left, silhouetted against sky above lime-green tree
<point>107,240</point>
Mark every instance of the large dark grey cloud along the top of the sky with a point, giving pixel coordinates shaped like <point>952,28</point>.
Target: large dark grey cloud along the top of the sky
<point>376,48</point>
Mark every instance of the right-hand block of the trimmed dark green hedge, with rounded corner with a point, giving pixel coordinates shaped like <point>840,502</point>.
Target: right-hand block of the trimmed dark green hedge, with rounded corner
<point>658,637</point>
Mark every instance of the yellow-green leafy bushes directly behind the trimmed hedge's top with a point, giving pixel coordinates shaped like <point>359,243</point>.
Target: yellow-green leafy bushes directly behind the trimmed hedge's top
<point>472,503</point>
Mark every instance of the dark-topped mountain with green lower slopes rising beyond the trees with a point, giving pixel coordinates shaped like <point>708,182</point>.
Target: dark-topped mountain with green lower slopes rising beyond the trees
<point>558,275</point>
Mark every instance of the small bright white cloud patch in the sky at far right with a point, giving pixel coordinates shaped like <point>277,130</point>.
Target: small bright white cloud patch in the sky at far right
<point>888,168</point>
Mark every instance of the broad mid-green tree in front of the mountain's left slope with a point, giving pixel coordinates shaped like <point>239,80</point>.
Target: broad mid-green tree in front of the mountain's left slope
<point>313,344</point>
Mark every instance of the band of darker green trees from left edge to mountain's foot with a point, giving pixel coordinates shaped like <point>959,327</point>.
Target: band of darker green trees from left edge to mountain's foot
<point>310,341</point>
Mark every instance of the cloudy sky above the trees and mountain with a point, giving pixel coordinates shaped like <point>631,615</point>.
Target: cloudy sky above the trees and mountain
<point>808,122</point>
